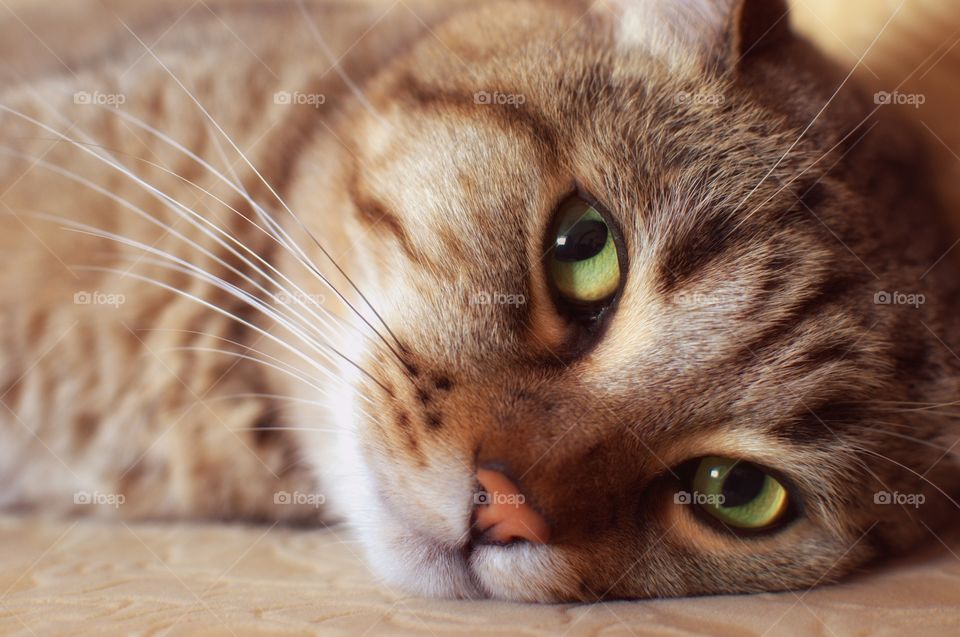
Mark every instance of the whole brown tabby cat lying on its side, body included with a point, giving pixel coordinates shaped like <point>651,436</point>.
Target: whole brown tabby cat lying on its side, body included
<point>547,300</point>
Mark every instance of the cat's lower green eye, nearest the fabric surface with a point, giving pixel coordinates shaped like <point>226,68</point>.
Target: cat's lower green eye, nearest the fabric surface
<point>739,494</point>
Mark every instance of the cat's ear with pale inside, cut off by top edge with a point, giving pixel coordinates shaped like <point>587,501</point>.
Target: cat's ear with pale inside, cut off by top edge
<point>714,34</point>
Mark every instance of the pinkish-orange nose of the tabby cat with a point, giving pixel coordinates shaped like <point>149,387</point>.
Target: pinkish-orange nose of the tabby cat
<point>503,514</point>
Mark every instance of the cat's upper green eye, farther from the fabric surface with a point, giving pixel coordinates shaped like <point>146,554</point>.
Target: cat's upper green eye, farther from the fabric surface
<point>584,265</point>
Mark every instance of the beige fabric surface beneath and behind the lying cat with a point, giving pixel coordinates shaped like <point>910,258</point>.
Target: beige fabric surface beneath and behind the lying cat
<point>70,577</point>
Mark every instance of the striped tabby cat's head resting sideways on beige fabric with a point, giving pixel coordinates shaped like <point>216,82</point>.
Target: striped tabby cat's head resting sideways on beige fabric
<point>630,262</point>
